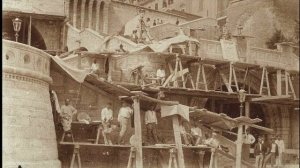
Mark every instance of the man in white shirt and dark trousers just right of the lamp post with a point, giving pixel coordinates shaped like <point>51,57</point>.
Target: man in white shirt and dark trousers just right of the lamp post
<point>248,139</point>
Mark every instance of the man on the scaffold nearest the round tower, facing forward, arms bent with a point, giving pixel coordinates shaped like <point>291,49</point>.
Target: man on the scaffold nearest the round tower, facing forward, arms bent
<point>66,113</point>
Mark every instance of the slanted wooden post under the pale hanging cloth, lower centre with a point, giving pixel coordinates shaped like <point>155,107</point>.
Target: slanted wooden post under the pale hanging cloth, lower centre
<point>178,142</point>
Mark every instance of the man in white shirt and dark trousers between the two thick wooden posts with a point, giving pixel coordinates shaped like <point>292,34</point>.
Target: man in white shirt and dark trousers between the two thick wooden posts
<point>151,126</point>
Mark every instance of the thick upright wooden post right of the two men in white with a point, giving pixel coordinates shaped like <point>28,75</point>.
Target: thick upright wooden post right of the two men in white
<point>138,132</point>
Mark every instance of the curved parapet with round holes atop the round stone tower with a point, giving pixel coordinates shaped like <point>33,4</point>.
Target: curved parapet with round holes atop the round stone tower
<point>25,60</point>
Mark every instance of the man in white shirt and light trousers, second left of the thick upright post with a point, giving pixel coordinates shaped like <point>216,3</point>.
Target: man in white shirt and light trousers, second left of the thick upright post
<point>106,118</point>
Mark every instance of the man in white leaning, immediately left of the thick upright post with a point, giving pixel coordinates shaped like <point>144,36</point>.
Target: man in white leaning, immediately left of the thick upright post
<point>125,113</point>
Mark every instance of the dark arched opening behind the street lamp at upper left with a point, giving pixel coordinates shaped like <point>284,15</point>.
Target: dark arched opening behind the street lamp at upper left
<point>37,39</point>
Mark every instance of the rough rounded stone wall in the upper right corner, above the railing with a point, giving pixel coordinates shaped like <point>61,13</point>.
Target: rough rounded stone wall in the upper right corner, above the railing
<point>260,18</point>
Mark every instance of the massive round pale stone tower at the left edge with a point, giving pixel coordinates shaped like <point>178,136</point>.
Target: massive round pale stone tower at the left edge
<point>29,137</point>
